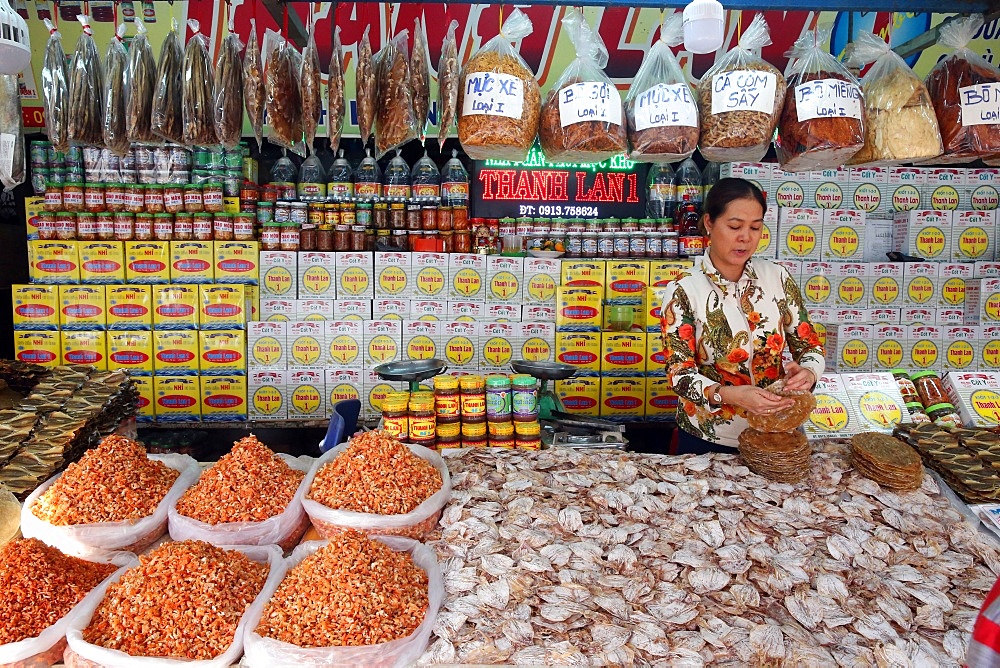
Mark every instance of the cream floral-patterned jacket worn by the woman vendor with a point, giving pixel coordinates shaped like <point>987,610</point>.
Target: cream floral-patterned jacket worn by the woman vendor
<point>717,331</point>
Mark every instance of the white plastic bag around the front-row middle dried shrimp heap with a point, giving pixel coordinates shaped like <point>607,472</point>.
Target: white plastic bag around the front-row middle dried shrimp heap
<point>82,654</point>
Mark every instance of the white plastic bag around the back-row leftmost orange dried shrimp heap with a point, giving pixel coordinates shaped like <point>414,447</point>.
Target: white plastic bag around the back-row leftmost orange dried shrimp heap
<point>82,540</point>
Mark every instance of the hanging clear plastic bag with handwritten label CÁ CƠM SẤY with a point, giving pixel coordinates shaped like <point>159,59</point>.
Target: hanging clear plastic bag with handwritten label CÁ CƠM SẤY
<point>740,100</point>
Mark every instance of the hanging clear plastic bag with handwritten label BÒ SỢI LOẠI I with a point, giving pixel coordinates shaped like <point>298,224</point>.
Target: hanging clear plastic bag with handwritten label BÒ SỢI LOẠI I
<point>582,119</point>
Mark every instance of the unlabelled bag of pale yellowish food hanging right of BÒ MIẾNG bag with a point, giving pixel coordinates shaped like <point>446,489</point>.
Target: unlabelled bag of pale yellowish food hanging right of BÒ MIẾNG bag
<point>900,124</point>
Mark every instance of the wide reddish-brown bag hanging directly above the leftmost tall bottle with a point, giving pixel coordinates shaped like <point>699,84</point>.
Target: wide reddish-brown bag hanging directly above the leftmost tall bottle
<point>284,101</point>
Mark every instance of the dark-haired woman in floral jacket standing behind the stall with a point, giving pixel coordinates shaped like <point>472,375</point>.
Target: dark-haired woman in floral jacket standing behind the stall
<point>726,322</point>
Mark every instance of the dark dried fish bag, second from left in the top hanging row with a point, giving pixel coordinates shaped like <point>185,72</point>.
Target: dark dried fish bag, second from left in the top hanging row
<point>86,90</point>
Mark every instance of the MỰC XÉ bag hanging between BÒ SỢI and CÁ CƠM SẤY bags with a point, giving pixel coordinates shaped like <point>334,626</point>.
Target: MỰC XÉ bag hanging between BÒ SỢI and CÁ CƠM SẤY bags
<point>660,107</point>
